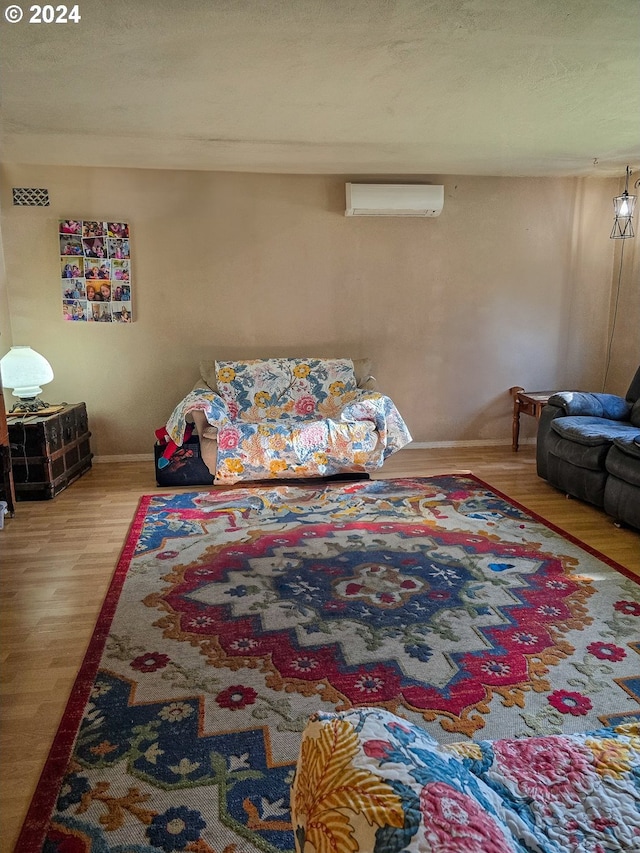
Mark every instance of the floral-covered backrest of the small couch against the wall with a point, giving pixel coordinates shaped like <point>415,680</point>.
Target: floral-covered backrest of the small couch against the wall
<point>261,390</point>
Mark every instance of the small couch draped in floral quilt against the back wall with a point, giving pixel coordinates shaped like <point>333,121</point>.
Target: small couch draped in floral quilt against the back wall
<point>289,417</point>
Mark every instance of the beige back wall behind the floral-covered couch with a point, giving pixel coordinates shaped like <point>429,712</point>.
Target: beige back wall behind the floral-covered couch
<point>510,285</point>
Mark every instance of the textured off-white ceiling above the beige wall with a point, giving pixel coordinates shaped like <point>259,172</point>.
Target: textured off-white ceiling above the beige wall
<point>487,87</point>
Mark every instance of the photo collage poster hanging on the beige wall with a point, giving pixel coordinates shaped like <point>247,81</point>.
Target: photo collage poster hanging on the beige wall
<point>95,268</point>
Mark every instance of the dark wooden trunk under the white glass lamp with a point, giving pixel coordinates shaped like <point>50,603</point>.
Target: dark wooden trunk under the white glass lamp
<point>49,452</point>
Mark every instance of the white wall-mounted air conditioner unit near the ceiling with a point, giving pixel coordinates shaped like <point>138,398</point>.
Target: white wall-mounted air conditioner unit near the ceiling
<point>394,200</point>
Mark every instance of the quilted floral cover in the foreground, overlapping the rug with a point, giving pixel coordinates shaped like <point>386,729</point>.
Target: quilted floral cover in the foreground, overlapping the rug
<point>368,780</point>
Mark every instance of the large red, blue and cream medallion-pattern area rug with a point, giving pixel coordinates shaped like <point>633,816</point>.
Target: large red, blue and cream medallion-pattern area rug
<point>234,615</point>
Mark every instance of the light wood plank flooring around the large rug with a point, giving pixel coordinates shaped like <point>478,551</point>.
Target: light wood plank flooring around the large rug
<point>57,558</point>
